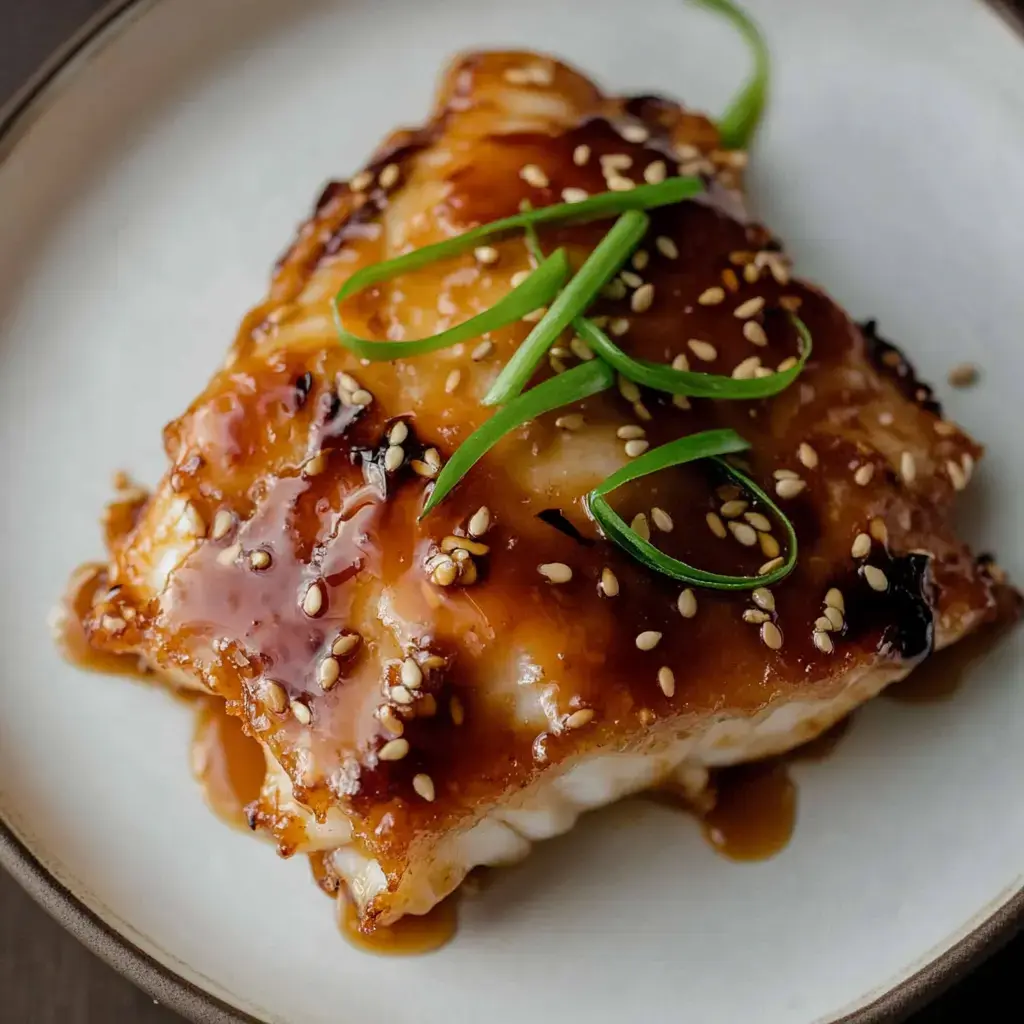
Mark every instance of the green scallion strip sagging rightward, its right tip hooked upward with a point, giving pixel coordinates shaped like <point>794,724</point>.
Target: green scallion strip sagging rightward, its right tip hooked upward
<point>696,386</point>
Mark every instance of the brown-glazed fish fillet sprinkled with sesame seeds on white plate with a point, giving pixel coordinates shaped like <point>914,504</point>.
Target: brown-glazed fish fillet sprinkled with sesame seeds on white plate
<point>434,695</point>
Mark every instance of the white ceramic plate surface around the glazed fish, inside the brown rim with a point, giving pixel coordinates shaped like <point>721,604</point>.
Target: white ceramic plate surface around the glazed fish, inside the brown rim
<point>143,201</point>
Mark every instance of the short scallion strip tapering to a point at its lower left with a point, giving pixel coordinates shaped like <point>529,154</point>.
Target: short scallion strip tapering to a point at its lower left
<point>580,382</point>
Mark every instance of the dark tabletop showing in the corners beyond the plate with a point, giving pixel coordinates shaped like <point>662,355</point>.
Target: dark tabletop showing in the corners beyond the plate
<point>47,977</point>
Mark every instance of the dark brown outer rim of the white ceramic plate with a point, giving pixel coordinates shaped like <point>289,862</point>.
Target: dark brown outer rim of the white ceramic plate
<point>196,1004</point>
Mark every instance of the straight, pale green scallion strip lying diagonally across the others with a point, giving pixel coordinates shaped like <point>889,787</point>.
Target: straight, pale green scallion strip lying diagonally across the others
<point>603,265</point>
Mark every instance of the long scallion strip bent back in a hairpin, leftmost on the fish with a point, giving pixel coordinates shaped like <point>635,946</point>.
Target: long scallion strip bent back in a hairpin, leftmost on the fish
<point>595,208</point>
